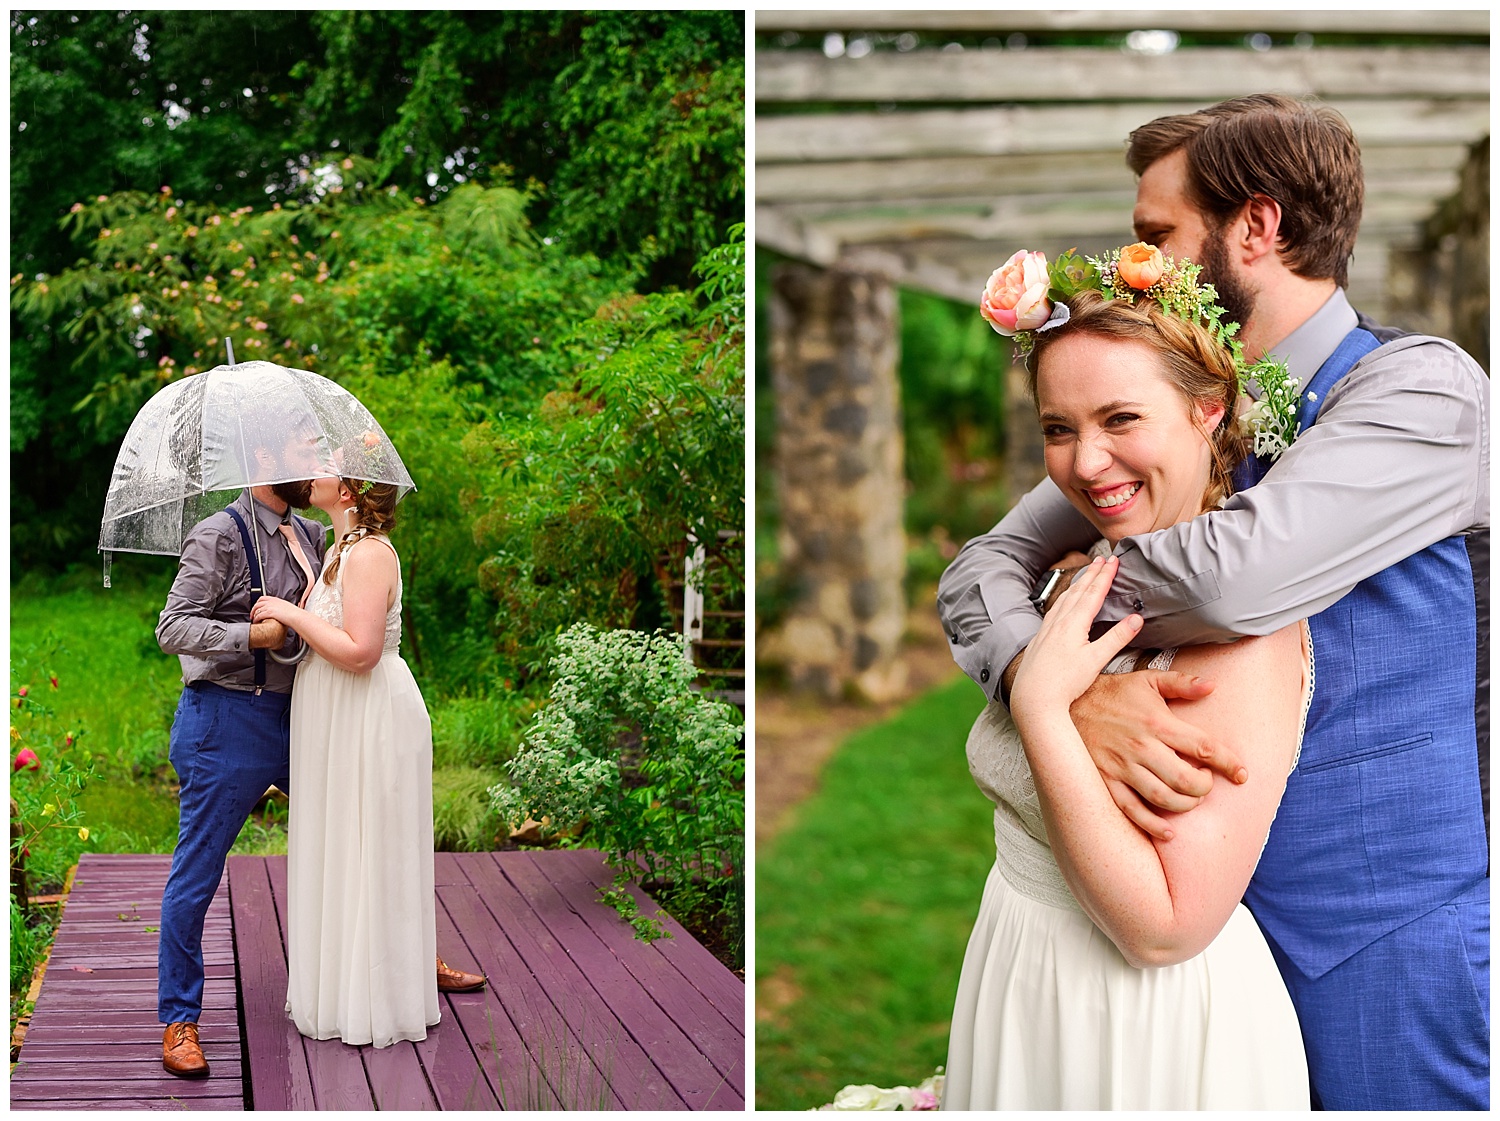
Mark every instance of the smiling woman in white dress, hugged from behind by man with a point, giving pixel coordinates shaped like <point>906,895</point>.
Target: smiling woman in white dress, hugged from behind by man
<point>1109,970</point>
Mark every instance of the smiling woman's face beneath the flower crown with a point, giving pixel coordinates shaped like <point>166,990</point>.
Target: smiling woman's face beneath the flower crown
<point>1121,442</point>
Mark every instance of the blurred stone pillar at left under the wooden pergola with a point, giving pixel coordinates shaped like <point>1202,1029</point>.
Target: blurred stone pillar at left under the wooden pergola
<point>841,484</point>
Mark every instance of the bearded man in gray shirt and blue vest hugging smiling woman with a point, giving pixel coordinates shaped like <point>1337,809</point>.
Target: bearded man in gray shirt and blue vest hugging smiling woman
<point>1373,889</point>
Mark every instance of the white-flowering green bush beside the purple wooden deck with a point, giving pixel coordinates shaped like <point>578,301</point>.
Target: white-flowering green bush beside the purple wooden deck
<point>643,768</point>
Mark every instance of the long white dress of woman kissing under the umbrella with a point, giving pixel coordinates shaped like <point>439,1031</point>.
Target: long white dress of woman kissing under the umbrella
<point>361,924</point>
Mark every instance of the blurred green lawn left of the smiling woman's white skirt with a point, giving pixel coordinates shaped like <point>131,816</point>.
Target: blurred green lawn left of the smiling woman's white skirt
<point>865,906</point>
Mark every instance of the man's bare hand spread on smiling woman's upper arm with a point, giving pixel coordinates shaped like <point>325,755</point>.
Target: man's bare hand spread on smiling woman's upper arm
<point>1148,757</point>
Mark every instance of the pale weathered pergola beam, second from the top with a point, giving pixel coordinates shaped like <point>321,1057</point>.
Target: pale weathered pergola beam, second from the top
<point>1207,74</point>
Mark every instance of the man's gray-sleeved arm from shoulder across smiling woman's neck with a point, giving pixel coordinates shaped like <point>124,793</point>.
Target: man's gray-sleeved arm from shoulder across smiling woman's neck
<point>1385,473</point>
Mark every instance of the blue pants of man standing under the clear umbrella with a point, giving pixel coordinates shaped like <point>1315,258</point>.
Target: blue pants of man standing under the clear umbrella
<point>227,748</point>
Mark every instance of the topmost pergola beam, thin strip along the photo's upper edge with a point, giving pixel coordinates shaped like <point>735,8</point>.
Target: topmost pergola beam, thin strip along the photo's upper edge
<point>1414,22</point>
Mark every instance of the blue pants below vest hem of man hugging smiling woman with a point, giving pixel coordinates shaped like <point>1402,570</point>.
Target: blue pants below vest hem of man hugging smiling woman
<point>1405,1024</point>
